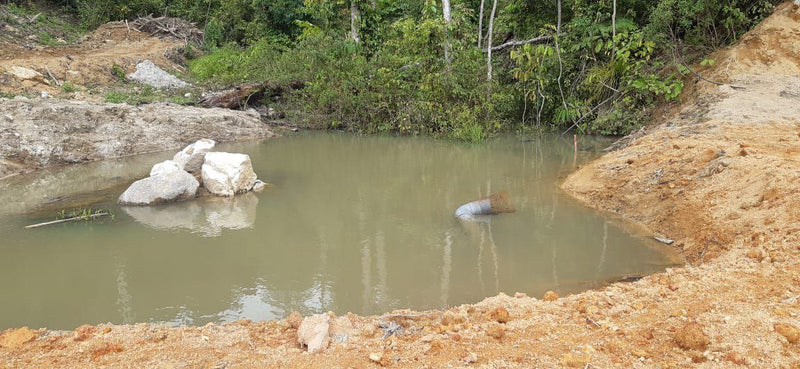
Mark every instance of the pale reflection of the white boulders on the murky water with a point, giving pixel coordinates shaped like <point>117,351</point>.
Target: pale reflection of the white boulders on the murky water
<point>207,216</point>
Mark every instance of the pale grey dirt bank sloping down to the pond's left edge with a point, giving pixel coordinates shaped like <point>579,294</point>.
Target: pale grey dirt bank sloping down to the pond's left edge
<point>36,133</point>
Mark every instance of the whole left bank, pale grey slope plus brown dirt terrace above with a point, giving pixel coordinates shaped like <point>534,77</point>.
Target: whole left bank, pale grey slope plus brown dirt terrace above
<point>40,132</point>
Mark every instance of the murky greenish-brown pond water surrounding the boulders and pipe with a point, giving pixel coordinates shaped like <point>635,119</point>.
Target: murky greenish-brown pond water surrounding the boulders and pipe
<point>360,224</point>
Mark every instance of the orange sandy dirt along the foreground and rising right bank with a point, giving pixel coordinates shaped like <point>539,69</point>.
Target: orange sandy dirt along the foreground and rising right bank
<point>720,175</point>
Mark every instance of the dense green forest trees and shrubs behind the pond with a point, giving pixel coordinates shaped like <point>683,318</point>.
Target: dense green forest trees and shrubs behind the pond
<point>462,69</point>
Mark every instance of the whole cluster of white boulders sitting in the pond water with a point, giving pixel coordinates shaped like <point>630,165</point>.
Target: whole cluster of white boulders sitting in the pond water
<point>192,170</point>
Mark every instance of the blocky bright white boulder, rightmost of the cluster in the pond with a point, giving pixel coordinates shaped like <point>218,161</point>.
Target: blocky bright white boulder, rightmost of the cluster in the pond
<point>226,174</point>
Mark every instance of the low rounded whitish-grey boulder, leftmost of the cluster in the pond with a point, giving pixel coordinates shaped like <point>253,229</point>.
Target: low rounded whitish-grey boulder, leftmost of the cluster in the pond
<point>161,188</point>
